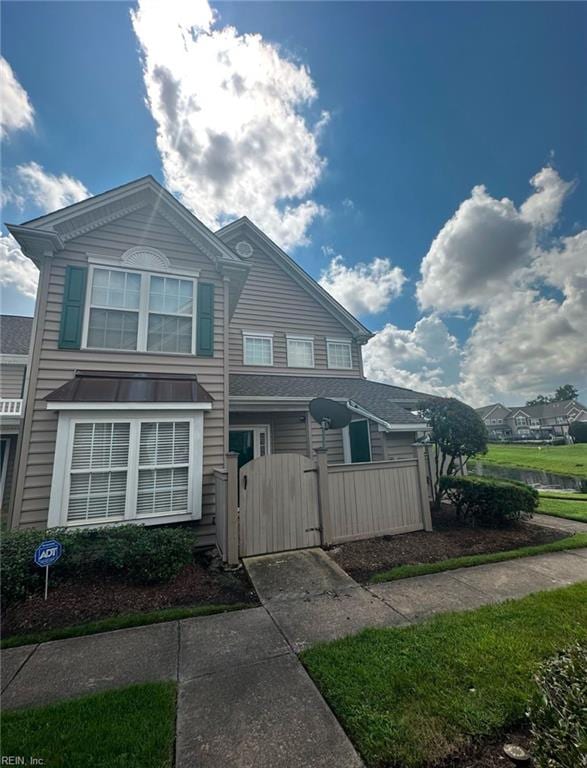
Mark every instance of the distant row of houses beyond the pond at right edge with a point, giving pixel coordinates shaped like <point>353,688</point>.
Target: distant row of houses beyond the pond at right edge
<point>531,422</point>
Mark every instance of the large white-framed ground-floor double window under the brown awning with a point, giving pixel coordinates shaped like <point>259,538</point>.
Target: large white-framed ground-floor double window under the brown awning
<point>128,468</point>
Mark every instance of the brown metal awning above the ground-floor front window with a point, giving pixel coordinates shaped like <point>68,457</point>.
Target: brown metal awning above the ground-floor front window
<point>115,387</point>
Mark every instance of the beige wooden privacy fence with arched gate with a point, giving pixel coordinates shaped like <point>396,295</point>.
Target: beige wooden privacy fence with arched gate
<point>288,501</point>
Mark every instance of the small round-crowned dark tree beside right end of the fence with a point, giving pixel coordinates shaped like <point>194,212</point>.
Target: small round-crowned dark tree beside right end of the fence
<point>457,432</point>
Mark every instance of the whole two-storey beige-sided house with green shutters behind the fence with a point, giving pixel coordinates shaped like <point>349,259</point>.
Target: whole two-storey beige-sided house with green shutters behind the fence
<point>160,345</point>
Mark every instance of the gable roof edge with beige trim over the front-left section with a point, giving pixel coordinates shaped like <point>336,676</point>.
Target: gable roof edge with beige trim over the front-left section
<point>49,234</point>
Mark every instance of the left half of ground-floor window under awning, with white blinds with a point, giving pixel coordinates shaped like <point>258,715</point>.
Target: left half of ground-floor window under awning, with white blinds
<point>99,472</point>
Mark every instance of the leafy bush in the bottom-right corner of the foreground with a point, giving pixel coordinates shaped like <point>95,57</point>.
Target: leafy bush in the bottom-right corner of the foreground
<point>559,718</point>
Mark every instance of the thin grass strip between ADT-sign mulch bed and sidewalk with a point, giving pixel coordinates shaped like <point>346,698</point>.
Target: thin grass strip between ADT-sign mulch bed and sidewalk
<point>118,622</point>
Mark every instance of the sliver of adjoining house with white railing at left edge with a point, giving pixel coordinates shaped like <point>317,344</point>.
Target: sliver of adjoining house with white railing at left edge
<point>15,336</point>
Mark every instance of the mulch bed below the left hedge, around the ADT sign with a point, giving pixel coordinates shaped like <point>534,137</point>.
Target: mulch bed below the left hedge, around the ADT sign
<point>70,603</point>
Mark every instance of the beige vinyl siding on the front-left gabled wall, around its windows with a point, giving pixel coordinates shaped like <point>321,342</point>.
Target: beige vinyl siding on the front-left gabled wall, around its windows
<point>56,366</point>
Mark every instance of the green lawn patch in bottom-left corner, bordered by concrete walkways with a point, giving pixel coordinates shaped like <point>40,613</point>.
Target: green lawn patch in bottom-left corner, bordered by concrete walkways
<point>127,728</point>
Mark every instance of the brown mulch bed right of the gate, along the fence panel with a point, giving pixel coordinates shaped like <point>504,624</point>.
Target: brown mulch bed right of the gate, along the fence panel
<point>450,538</point>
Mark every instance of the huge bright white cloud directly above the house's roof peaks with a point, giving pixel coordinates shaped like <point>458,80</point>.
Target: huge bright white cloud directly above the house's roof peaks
<point>231,116</point>
